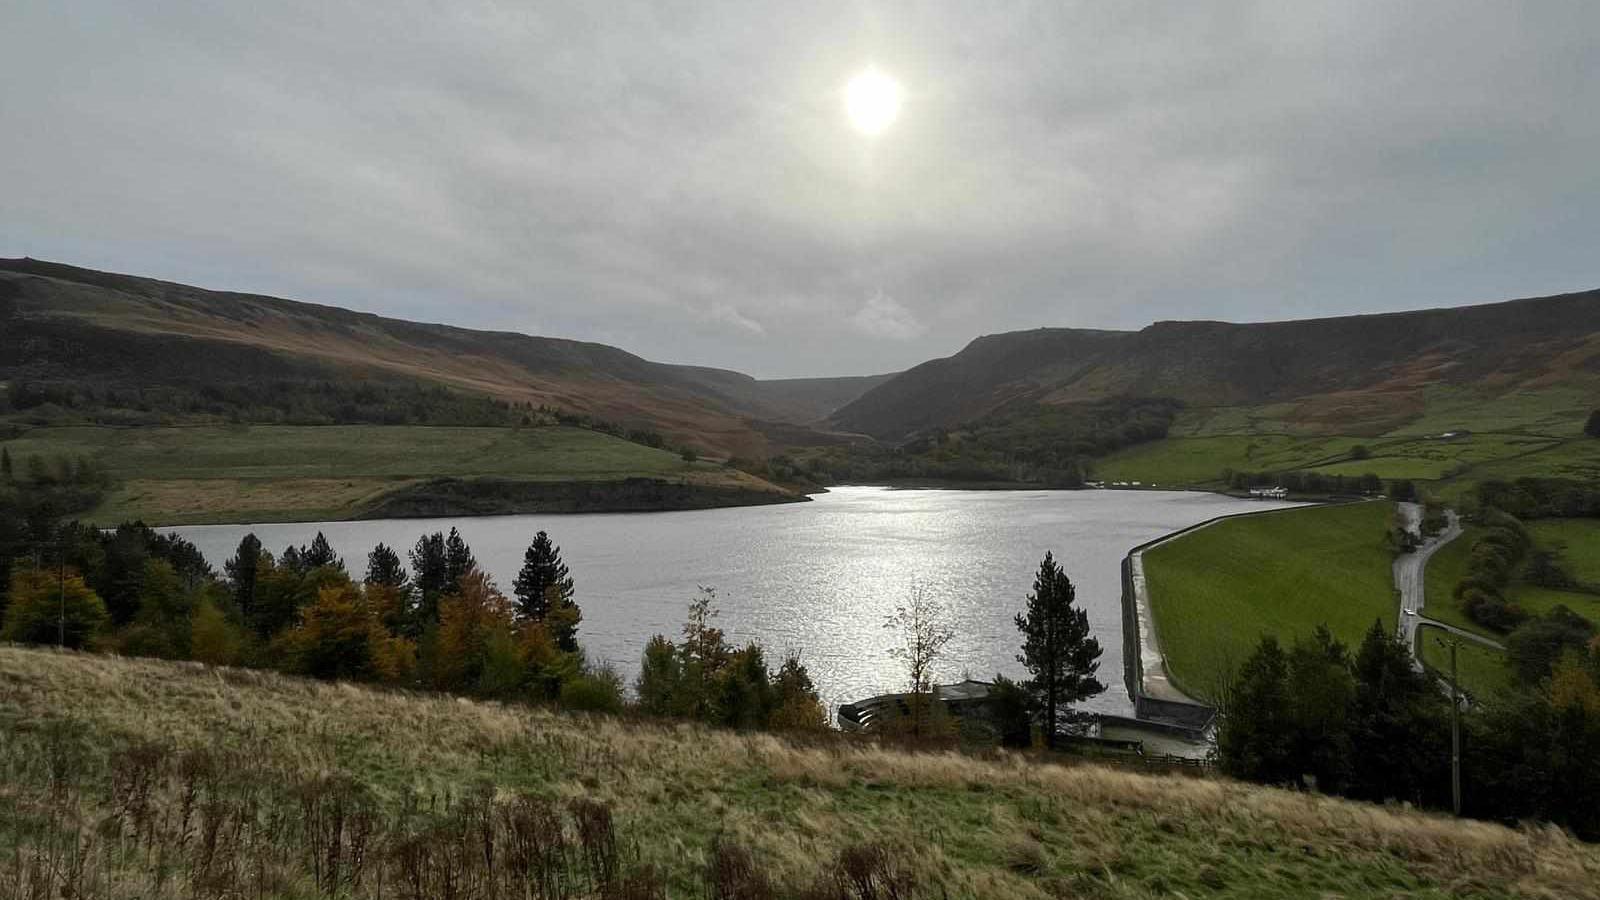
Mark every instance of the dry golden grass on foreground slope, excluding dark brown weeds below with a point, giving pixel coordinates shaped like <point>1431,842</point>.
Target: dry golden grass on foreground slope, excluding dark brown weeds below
<point>964,827</point>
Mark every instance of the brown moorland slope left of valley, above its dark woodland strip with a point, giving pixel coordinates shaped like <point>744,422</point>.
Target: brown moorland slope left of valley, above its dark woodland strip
<point>126,332</point>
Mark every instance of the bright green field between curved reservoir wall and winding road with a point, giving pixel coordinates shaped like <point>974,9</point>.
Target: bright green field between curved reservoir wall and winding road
<point>1218,590</point>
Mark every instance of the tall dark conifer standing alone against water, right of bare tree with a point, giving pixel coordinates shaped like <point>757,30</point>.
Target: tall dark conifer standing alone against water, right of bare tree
<point>1057,646</point>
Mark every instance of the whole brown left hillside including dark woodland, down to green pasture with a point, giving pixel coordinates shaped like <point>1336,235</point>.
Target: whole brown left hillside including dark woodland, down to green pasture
<point>145,352</point>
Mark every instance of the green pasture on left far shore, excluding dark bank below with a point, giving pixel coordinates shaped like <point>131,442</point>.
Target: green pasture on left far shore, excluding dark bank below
<point>308,473</point>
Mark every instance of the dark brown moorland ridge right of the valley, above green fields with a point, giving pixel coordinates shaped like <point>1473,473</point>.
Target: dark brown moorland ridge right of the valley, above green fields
<point>1353,376</point>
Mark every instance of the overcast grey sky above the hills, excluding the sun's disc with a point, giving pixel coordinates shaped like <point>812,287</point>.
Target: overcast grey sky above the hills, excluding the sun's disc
<point>682,180</point>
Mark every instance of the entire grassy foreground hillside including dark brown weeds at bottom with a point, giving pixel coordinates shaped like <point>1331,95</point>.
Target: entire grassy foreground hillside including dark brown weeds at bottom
<point>143,779</point>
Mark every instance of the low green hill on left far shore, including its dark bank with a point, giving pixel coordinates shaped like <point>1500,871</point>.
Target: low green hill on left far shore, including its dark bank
<point>236,473</point>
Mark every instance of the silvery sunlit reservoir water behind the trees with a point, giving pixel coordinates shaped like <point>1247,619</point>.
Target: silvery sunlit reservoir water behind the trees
<point>818,577</point>
